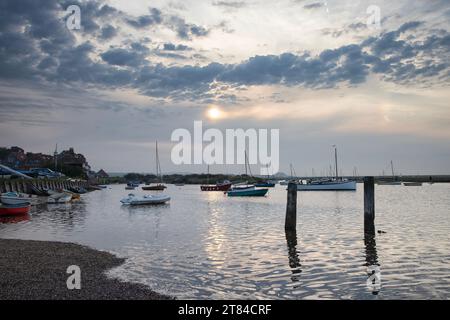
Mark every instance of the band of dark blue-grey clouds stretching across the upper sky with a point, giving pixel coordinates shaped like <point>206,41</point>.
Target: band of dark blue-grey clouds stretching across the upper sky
<point>51,54</point>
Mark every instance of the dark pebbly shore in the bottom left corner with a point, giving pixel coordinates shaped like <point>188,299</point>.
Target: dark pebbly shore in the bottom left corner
<point>36,270</point>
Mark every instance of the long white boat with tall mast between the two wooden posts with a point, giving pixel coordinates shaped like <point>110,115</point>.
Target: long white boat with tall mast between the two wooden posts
<point>336,184</point>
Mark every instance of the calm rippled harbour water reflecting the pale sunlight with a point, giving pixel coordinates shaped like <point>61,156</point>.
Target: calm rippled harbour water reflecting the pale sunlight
<point>208,246</point>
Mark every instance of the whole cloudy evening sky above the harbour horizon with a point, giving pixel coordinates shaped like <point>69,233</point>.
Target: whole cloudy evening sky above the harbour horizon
<point>316,70</point>
